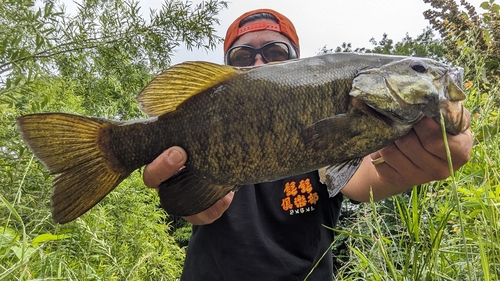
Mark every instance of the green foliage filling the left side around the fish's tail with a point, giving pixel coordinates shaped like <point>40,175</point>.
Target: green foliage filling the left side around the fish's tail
<point>93,62</point>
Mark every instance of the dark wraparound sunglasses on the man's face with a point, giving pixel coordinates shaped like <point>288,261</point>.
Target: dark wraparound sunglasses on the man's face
<point>243,55</point>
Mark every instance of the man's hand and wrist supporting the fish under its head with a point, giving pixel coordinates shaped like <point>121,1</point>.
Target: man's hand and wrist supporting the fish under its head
<point>416,158</point>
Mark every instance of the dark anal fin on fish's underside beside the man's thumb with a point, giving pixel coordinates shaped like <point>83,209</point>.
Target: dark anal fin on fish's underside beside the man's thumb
<point>186,194</point>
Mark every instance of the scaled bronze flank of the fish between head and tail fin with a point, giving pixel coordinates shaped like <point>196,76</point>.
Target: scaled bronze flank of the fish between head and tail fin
<point>223,125</point>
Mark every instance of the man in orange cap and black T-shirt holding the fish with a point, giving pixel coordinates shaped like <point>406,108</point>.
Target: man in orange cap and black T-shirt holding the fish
<point>276,231</point>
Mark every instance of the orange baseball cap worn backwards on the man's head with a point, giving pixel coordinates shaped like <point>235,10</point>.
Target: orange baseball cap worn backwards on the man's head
<point>284,26</point>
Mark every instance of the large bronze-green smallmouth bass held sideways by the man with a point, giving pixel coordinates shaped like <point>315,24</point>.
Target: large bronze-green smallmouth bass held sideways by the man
<point>244,125</point>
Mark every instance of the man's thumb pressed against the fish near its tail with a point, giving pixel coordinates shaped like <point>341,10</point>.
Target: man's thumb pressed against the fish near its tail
<point>164,166</point>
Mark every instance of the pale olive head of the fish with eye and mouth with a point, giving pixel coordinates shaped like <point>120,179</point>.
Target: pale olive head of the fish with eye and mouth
<point>405,90</point>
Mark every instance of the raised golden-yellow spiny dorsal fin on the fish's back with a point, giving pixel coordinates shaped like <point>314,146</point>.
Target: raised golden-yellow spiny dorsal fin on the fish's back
<point>180,82</point>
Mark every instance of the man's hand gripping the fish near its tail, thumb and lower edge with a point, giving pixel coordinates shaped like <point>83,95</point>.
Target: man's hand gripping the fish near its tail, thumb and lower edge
<point>168,164</point>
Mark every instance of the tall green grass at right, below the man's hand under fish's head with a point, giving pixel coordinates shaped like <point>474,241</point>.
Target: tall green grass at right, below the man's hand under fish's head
<point>445,230</point>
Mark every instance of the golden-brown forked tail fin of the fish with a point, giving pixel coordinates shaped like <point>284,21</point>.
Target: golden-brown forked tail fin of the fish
<point>69,146</point>
